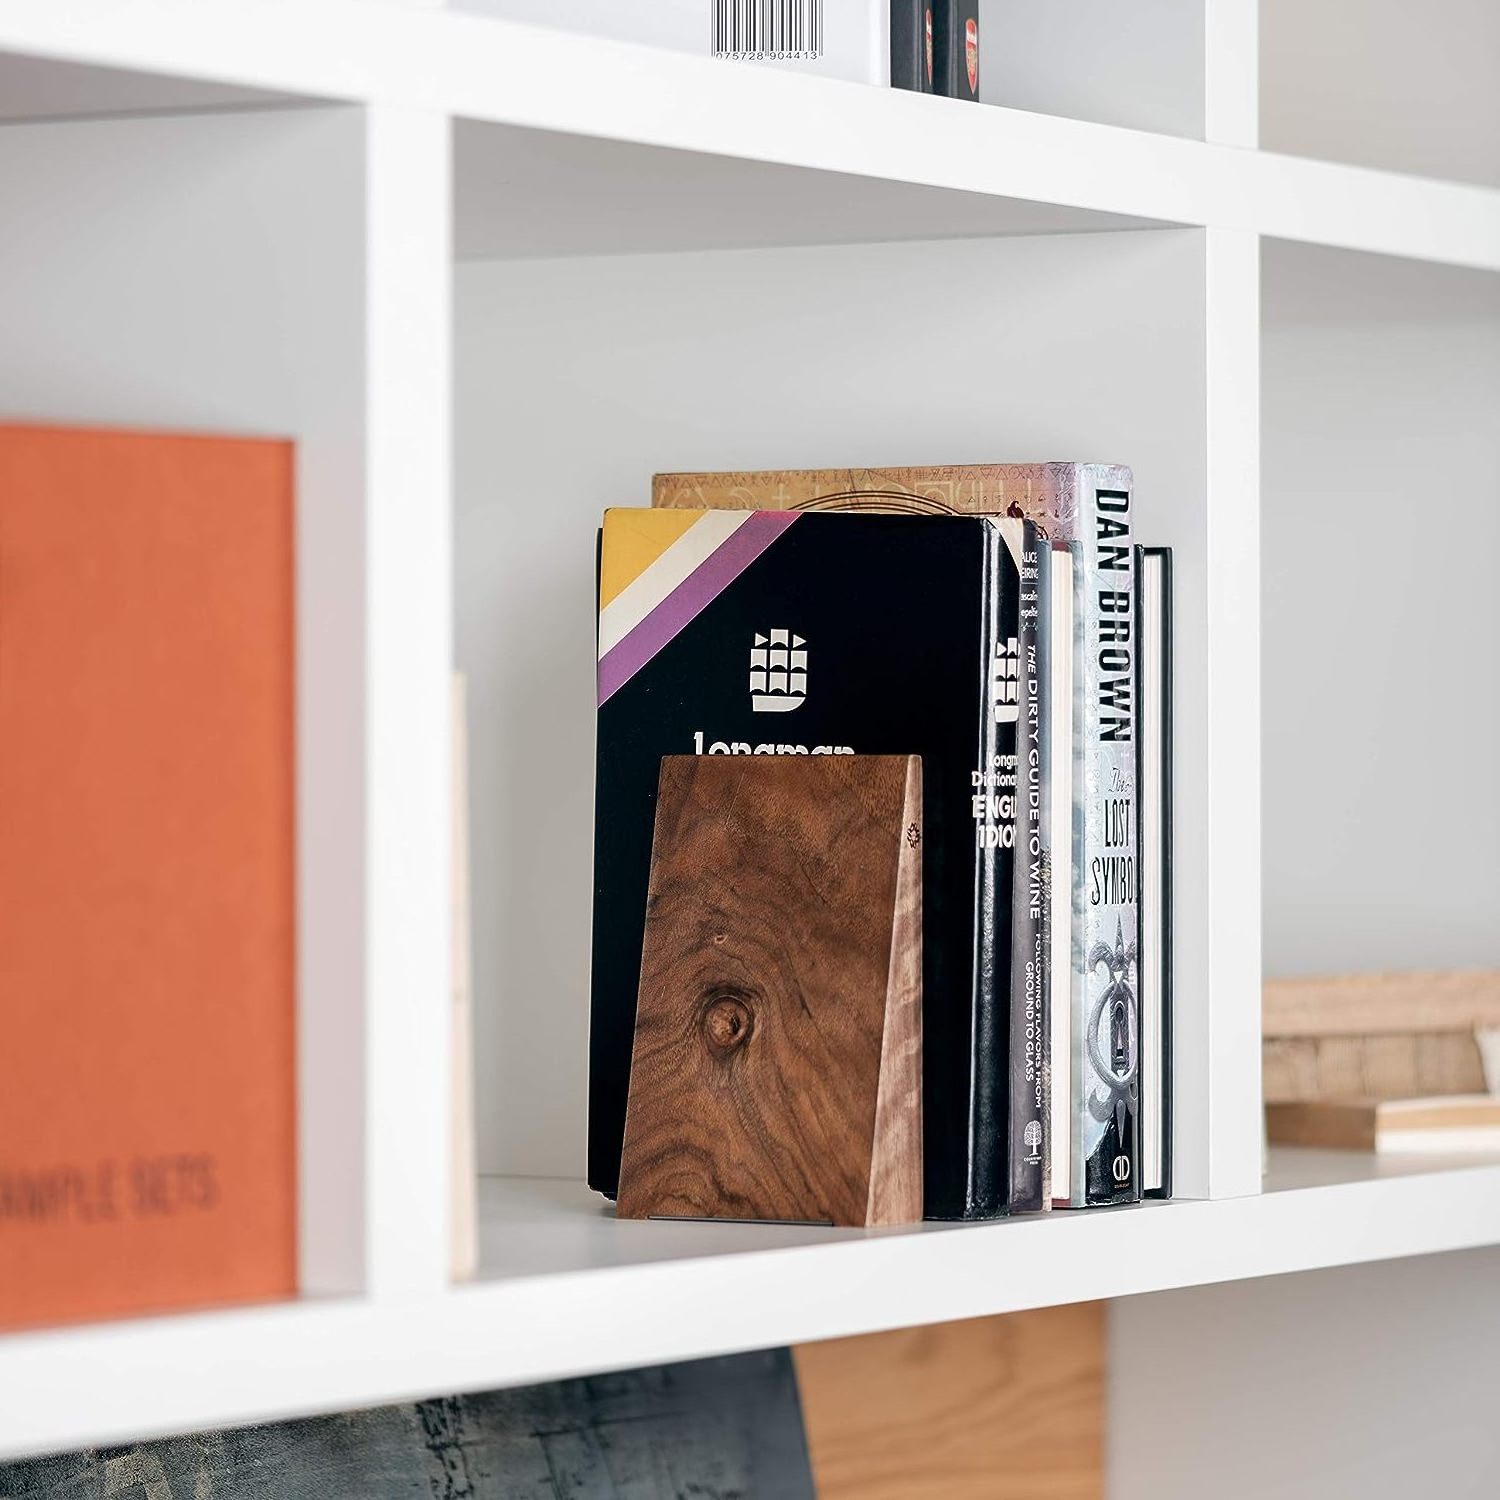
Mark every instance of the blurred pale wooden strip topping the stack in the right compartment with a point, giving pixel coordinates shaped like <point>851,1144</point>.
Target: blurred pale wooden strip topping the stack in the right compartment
<point>1451,1001</point>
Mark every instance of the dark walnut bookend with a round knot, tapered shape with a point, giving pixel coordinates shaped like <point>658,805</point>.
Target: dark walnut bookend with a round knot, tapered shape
<point>778,1055</point>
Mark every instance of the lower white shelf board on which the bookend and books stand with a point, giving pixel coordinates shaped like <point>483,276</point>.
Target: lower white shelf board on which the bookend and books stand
<point>568,1291</point>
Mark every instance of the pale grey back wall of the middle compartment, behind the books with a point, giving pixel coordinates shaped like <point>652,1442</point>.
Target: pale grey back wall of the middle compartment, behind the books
<point>608,370</point>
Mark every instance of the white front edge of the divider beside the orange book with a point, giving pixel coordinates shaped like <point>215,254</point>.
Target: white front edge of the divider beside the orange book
<point>409,622</point>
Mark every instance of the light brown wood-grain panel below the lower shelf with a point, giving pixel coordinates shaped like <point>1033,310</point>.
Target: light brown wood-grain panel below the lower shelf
<point>994,1409</point>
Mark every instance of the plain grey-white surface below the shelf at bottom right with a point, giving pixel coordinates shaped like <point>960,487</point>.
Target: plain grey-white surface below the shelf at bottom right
<point>1373,1381</point>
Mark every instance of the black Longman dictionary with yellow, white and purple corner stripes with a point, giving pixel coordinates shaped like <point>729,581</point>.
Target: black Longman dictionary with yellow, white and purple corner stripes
<point>782,634</point>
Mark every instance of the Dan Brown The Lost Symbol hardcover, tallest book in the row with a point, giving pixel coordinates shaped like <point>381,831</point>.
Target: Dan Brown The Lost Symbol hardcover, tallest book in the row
<point>1090,1006</point>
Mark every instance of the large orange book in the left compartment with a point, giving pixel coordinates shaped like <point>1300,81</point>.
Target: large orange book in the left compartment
<point>148,1117</point>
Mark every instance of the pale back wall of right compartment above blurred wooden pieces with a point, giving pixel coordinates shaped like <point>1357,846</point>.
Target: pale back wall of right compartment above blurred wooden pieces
<point>1381,614</point>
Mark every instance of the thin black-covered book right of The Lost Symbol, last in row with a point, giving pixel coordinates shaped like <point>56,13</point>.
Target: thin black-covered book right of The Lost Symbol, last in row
<point>1154,781</point>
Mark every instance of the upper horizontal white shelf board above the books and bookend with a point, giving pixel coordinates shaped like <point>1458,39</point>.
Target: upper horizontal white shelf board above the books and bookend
<point>941,169</point>
